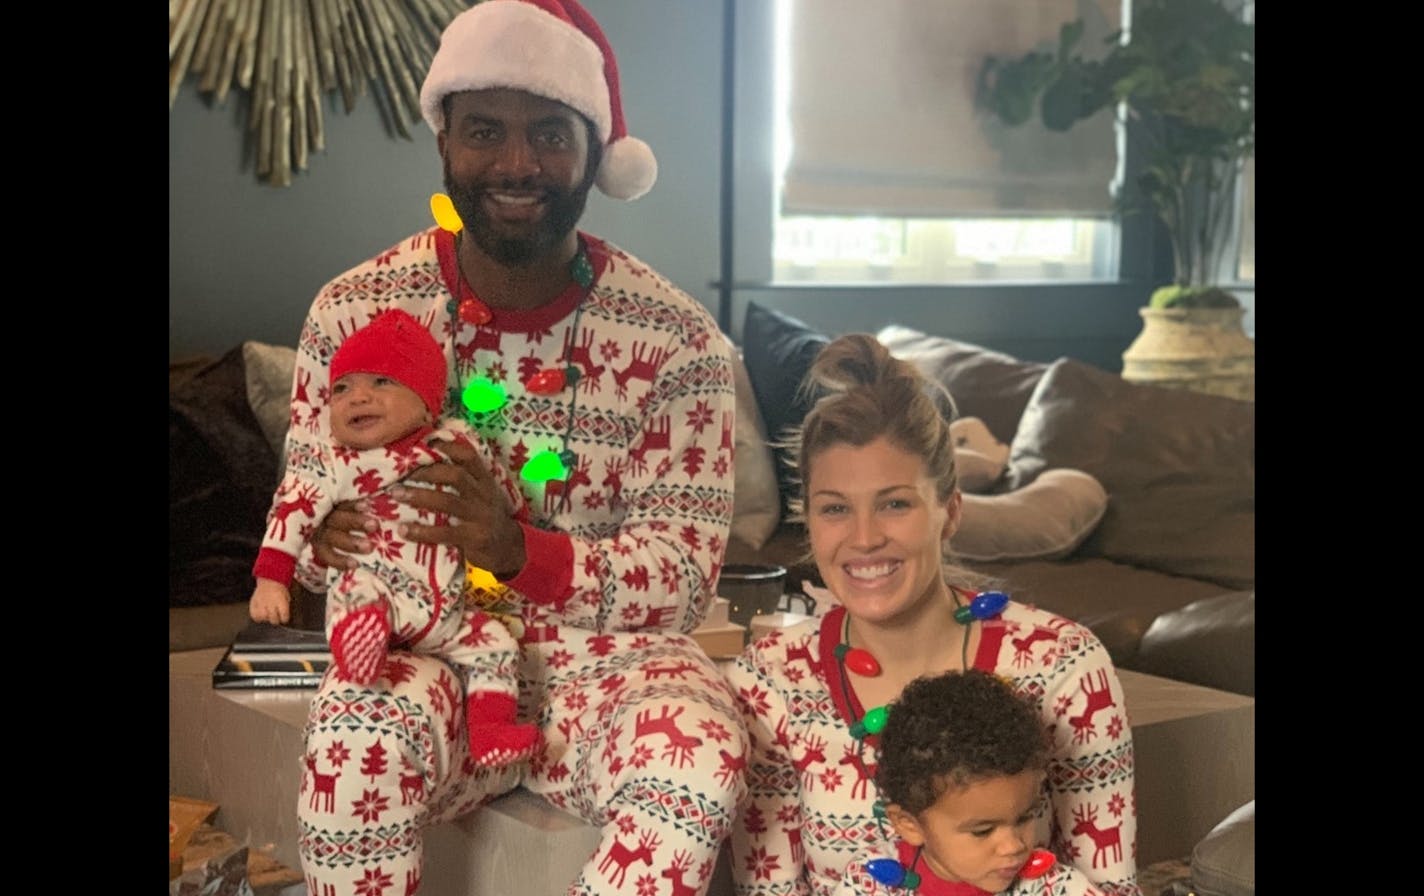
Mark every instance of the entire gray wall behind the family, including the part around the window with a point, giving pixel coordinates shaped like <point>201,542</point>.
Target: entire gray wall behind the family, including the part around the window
<point>246,260</point>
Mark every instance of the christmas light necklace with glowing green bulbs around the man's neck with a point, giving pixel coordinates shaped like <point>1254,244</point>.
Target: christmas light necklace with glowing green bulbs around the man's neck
<point>482,397</point>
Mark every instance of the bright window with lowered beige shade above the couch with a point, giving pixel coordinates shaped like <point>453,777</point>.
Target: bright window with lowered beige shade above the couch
<point>918,190</point>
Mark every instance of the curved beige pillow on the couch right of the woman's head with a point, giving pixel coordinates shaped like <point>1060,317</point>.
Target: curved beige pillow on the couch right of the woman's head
<point>1045,521</point>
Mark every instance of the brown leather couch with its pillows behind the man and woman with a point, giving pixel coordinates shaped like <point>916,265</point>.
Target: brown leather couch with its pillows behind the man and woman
<point>1124,506</point>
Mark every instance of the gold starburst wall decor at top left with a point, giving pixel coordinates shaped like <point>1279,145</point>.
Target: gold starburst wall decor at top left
<point>288,55</point>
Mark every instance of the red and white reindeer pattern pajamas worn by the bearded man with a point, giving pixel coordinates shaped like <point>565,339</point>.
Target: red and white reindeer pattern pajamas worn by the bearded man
<point>642,736</point>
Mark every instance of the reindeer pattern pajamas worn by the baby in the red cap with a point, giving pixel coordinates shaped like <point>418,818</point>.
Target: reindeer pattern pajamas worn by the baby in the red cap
<point>419,588</point>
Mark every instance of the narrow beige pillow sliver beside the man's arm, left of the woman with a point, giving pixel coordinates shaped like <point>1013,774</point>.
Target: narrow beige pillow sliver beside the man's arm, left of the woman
<point>757,502</point>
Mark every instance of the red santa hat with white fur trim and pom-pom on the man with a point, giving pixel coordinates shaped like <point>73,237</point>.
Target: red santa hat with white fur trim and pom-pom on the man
<point>548,48</point>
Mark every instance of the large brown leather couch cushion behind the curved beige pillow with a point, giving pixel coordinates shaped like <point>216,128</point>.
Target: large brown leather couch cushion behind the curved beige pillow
<point>1180,469</point>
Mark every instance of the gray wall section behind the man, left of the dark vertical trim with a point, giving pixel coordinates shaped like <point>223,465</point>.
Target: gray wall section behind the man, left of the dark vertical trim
<point>246,260</point>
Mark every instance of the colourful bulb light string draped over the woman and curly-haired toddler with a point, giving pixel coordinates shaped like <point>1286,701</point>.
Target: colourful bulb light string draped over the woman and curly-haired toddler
<point>892,872</point>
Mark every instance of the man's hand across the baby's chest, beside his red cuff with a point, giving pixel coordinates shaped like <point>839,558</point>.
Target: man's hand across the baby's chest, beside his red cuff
<point>479,514</point>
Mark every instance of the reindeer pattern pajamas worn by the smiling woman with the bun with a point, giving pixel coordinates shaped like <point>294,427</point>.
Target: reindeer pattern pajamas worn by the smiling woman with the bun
<point>810,814</point>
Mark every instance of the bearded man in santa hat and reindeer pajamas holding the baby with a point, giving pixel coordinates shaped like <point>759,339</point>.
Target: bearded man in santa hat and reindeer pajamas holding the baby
<point>609,394</point>
